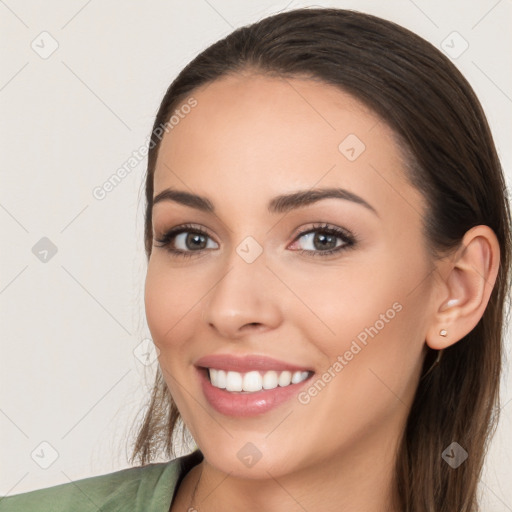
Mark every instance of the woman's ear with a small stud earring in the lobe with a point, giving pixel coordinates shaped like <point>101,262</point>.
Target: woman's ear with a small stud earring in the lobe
<point>467,281</point>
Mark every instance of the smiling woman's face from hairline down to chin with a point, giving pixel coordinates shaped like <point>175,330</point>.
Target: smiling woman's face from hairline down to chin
<point>354,319</point>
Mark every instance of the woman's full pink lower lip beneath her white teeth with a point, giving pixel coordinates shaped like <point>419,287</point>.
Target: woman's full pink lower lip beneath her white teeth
<point>247,404</point>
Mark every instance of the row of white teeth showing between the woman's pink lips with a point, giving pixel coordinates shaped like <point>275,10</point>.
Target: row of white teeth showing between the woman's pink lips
<point>254,380</point>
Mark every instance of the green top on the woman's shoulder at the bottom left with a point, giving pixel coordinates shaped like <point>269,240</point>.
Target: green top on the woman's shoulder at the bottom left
<point>149,488</point>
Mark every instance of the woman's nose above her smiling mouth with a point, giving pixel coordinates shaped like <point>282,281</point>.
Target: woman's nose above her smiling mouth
<point>244,299</point>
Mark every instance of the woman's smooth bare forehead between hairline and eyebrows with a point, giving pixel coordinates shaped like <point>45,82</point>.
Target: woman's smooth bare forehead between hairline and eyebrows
<point>252,134</point>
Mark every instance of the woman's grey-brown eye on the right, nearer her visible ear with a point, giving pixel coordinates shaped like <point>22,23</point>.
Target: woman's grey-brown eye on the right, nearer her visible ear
<point>322,240</point>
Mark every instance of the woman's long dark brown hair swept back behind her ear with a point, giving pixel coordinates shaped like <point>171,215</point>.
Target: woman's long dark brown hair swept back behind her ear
<point>452,160</point>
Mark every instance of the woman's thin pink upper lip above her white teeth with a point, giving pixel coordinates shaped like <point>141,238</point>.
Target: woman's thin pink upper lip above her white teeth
<point>246,363</point>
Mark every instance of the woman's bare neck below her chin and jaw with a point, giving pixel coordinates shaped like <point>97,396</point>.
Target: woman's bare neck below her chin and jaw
<point>350,480</point>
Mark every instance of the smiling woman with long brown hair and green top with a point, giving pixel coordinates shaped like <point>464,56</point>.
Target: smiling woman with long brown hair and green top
<point>335,343</point>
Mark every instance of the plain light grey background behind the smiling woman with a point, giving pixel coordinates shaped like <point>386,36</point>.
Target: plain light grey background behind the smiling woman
<point>72,326</point>
